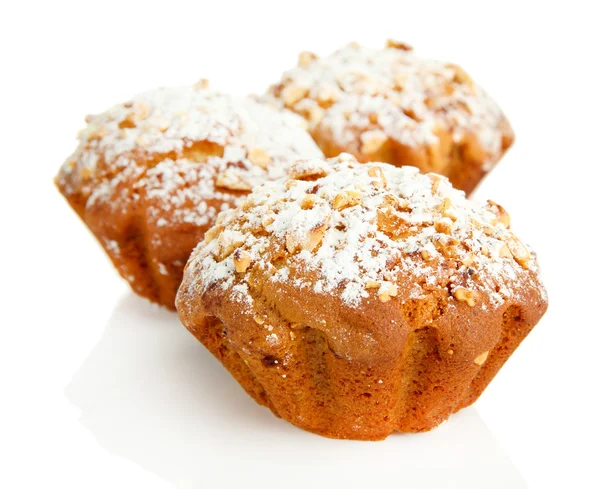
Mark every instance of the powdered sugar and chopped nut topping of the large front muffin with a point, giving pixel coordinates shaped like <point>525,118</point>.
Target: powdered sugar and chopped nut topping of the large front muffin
<point>364,233</point>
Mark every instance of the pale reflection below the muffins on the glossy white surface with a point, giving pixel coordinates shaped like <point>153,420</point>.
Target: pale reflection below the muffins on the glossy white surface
<point>149,392</point>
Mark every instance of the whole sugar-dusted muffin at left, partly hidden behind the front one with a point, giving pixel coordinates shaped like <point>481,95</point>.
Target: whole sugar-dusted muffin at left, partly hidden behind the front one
<point>150,175</point>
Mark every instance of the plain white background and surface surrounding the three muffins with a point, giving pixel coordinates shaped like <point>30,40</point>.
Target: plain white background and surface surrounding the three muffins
<point>100,389</point>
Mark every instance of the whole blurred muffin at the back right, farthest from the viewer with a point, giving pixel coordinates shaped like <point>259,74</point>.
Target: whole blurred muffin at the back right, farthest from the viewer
<point>389,105</point>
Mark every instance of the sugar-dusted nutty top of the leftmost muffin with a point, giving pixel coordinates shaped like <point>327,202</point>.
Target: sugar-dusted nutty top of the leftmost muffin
<point>188,145</point>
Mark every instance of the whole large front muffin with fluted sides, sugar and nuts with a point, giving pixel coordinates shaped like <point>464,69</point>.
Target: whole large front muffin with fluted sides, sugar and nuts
<point>355,300</point>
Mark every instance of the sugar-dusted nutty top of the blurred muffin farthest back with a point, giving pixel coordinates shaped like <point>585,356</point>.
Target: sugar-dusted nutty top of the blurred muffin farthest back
<point>390,93</point>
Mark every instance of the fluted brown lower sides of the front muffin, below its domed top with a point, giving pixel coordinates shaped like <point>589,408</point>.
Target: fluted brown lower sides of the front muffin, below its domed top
<point>339,398</point>
